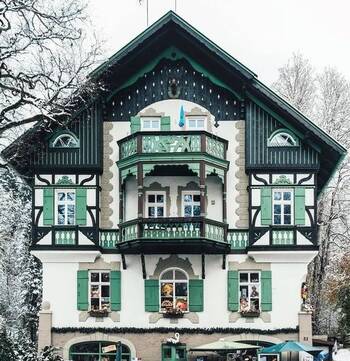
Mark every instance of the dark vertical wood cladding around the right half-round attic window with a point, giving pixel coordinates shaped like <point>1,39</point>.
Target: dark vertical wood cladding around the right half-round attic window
<point>260,125</point>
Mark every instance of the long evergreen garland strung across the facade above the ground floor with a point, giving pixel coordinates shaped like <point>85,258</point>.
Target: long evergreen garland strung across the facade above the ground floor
<point>163,330</point>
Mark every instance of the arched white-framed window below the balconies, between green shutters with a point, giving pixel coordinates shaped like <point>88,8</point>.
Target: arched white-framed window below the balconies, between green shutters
<point>173,290</point>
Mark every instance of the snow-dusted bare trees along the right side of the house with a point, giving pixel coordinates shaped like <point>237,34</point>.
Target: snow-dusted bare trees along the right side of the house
<point>325,98</point>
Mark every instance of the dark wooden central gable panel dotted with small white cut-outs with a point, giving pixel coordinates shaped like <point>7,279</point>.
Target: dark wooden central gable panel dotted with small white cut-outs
<point>189,84</point>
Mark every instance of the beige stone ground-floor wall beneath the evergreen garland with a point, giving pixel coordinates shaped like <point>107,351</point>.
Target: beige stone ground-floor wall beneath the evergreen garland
<point>148,345</point>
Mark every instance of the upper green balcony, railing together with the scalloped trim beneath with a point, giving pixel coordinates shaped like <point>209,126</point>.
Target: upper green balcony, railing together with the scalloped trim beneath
<point>173,147</point>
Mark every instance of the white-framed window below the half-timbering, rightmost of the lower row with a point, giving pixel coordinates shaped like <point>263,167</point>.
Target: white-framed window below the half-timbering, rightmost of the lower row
<point>249,291</point>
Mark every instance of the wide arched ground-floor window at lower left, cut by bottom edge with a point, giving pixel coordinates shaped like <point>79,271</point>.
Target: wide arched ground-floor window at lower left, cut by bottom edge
<point>97,351</point>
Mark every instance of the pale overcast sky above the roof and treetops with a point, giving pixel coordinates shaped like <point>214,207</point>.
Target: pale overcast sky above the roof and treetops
<point>262,34</point>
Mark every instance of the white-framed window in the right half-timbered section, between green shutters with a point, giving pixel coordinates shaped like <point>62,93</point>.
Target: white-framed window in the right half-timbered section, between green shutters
<point>282,206</point>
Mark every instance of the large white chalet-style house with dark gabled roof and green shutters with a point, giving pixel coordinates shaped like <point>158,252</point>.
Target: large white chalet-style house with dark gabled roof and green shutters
<point>182,199</point>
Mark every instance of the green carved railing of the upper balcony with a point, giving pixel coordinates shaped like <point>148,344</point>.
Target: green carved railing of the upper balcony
<point>172,142</point>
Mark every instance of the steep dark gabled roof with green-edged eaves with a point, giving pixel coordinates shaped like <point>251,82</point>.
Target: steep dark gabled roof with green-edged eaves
<point>172,30</point>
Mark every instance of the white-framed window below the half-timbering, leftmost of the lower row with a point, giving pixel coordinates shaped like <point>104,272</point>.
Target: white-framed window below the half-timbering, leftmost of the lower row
<point>99,286</point>
